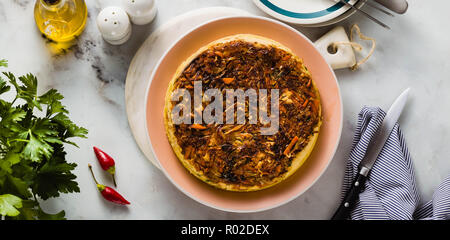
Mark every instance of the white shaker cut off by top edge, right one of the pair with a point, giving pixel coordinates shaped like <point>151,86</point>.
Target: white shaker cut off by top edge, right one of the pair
<point>140,11</point>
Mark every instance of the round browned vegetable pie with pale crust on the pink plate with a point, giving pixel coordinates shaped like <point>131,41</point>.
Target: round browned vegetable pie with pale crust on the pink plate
<point>237,157</point>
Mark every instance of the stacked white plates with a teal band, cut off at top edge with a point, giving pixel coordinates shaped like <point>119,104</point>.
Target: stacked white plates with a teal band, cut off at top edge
<point>311,13</point>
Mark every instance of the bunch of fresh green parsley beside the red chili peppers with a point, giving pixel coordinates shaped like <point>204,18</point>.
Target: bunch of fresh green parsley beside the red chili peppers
<point>32,156</point>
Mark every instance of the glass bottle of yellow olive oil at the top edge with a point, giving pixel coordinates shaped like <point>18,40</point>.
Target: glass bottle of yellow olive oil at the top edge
<point>60,20</point>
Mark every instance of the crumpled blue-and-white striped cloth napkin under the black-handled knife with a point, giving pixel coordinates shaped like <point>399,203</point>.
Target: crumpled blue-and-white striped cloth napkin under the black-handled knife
<point>390,191</point>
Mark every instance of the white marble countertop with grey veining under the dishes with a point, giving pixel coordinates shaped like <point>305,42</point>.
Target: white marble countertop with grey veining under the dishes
<point>92,75</point>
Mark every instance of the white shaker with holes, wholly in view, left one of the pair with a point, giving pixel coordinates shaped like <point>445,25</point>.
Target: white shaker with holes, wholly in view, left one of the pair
<point>114,25</point>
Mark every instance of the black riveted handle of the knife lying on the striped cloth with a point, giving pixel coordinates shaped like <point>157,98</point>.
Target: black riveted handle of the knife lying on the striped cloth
<point>343,212</point>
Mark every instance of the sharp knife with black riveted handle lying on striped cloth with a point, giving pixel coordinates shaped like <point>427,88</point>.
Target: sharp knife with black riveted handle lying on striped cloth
<point>375,147</point>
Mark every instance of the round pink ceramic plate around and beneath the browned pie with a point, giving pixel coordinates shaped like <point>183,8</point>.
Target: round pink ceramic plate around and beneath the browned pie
<point>311,170</point>
